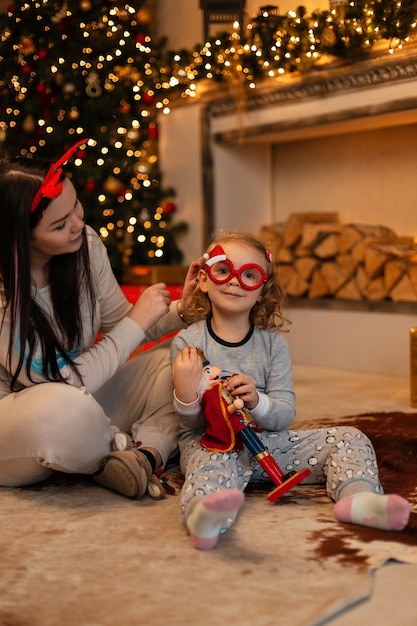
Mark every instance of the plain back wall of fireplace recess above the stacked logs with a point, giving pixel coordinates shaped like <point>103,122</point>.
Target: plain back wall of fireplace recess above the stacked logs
<point>367,177</point>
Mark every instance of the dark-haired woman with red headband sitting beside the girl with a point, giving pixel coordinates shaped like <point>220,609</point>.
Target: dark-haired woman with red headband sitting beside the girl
<point>64,396</point>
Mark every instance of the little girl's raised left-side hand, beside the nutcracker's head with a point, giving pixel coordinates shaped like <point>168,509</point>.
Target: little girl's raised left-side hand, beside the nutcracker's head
<point>187,372</point>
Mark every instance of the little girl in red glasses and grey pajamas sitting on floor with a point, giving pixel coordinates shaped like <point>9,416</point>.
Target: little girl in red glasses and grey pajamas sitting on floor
<point>236,321</point>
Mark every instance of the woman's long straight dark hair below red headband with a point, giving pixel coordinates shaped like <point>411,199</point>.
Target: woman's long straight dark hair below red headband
<point>70,277</point>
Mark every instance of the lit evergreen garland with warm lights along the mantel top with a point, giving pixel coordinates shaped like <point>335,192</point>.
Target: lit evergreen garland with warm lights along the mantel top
<point>273,45</point>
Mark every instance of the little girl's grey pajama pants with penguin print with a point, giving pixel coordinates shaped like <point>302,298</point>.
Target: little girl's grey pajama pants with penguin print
<point>340,457</point>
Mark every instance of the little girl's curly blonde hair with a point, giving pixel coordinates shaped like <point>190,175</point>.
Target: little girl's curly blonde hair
<point>267,313</point>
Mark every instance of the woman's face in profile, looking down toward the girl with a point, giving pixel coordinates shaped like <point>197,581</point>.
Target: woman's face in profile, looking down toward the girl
<point>61,226</point>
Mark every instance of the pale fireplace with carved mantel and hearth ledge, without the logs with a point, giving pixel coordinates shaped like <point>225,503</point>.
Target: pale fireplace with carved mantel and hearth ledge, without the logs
<point>340,139</point>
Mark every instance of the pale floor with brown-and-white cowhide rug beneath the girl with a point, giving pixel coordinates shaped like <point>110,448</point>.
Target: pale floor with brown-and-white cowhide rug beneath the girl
<point>75,554</point>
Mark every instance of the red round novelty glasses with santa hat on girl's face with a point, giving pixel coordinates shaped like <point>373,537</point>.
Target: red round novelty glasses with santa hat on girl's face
<point>220,270</point>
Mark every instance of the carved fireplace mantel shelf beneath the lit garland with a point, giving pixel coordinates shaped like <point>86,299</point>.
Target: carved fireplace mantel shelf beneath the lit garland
<point>334,98</point>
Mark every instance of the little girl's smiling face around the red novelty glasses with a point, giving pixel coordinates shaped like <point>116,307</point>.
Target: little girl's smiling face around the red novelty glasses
<point>231,296</point>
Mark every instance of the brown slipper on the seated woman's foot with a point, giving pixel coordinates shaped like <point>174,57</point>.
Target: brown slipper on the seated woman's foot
<point>127,472</point>
